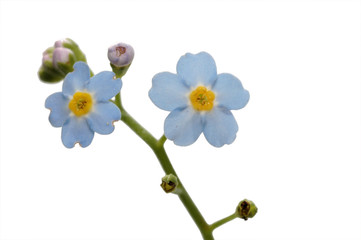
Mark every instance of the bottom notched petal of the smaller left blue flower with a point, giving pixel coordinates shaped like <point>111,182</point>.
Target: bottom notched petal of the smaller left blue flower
<point>76,130</point>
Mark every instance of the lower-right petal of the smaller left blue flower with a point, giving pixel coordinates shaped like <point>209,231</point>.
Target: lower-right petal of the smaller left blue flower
<point>102,118</point>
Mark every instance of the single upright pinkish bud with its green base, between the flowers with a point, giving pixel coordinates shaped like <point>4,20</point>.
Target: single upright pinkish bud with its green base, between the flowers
<point>120,56</point>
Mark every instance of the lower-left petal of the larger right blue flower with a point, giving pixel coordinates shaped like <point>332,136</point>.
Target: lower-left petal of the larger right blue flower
<point>183,126</point>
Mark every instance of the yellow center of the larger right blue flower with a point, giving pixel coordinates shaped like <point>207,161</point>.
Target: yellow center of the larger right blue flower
<point>202,99</point>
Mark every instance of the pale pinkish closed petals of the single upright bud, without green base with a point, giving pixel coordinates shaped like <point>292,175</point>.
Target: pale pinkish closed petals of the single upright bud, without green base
<point>121,54</point>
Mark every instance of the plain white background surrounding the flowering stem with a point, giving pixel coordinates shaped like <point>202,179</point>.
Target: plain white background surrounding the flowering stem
<point>297,152</point>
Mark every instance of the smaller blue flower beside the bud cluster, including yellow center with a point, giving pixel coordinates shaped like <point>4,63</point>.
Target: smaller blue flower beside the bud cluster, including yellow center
<point>83,107</point>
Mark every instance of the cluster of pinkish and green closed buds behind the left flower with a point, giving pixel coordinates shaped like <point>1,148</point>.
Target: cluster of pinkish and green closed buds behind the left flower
<point>59,60</point>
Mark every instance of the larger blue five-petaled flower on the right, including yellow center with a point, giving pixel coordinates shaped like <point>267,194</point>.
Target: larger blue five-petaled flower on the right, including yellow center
<point>199,101</point>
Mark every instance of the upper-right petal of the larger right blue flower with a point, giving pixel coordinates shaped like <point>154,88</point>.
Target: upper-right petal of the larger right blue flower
<point>230,92</point>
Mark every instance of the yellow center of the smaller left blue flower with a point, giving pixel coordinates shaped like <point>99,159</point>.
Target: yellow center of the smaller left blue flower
<point>81,103</point>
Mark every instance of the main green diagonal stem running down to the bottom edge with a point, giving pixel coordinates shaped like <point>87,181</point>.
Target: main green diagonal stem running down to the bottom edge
<point>158,148</point>
